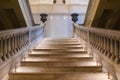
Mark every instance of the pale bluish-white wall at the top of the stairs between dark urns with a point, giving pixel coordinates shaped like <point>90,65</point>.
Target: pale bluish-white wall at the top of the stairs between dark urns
<point>59,25</point>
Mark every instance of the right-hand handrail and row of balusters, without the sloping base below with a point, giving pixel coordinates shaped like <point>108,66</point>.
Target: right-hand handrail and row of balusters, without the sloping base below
<point>107,42</point>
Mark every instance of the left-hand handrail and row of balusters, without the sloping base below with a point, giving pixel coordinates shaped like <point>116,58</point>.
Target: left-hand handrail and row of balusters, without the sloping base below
<point>13,41</point>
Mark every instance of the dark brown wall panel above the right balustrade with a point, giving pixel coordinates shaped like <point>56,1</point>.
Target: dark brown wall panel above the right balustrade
<point>107,19</point>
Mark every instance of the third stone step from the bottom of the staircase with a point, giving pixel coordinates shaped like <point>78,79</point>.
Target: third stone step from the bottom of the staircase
<point>30,62</point>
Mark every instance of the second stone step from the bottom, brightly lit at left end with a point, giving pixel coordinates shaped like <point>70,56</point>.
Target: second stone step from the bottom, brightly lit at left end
<point>37,69</point>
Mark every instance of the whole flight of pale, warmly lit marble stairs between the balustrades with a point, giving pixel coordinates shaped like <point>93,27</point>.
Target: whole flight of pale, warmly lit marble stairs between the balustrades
<point>58,59</point>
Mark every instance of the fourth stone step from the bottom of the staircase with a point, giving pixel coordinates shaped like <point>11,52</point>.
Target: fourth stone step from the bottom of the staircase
<point>56,59</point>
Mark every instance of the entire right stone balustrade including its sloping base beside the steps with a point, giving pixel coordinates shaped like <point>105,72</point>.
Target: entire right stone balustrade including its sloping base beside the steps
<point>104,43</point>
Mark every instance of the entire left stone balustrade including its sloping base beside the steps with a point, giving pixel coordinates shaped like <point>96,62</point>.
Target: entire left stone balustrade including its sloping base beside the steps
<point>13,43</point>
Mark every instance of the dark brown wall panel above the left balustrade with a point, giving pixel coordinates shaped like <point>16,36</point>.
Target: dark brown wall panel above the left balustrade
<point>10,15</point>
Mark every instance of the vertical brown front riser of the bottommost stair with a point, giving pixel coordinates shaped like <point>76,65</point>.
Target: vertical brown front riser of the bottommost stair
<point>55,77</point>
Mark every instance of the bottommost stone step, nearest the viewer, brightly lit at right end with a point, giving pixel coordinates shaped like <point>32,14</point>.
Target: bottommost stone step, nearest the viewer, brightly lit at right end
<point>58,76</point>
